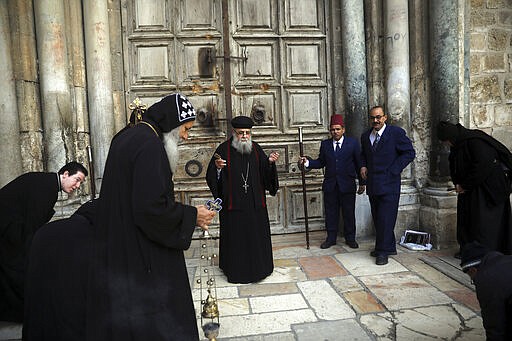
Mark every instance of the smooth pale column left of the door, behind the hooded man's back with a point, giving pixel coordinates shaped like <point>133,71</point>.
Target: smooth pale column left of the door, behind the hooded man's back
<point>99,82</point>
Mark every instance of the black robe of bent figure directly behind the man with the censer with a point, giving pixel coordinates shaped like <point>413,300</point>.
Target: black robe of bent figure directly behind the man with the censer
<point>57,274</point>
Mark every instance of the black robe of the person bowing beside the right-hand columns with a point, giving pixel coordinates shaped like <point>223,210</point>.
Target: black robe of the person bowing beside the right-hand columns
<point>483,210</point>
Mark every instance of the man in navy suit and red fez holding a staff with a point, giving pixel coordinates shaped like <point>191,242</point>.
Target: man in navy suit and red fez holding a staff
<point>340,155</point>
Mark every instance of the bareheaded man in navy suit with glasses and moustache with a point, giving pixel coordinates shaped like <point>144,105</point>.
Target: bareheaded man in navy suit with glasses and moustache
<point>386,151</point>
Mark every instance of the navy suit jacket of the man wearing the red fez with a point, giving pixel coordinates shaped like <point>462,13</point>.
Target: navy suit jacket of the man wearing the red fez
<point>342,168</point>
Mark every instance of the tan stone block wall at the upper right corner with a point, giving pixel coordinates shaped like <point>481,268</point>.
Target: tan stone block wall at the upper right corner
<point>491,68</point>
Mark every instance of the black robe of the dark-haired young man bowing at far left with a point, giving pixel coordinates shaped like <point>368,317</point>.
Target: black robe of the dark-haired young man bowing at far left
<point>26,204</point>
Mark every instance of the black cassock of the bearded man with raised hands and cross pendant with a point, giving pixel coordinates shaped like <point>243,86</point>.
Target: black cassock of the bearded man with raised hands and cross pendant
<point>245,247</point>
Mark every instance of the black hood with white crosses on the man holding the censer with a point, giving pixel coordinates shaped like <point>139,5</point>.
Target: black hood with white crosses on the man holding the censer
<point>170,112</point>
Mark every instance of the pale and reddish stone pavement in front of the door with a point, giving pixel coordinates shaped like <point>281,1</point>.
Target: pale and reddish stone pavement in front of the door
<point>340,294</point>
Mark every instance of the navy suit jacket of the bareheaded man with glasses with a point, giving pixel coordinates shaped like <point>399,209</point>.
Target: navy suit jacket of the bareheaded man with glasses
<point>385,164</point>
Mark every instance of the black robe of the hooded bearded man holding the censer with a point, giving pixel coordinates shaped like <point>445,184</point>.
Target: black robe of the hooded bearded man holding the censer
<point>138,281</point>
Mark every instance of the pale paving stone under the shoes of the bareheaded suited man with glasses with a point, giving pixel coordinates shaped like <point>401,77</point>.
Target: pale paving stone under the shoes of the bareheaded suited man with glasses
<point>362,264</point>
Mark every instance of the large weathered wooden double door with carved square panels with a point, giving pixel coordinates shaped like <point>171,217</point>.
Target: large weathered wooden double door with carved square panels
<point>279,69</point>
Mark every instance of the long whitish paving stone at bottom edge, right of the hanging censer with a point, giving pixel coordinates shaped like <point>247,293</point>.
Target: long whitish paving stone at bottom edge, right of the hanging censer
<point>265,323</point>
